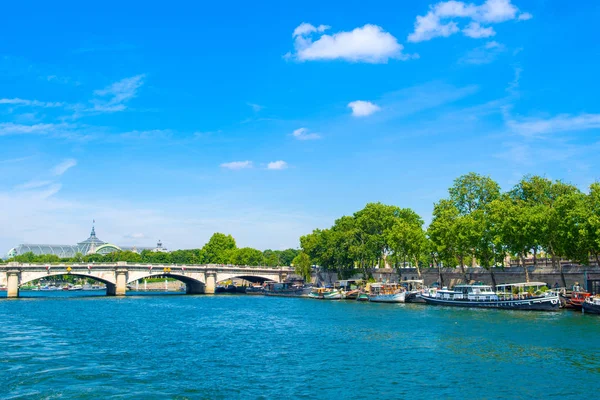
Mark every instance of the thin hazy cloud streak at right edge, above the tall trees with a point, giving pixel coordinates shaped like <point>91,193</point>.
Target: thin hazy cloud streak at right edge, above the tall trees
<point>532,127</point>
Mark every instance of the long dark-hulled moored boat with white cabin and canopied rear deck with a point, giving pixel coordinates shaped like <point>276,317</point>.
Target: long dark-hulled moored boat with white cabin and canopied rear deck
<point>482,296</point>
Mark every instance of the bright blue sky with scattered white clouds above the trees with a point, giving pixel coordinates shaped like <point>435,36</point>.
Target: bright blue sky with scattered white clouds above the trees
<point>267,119</point>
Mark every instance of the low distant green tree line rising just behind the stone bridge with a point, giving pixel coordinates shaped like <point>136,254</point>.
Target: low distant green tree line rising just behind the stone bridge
<point>220,249</point>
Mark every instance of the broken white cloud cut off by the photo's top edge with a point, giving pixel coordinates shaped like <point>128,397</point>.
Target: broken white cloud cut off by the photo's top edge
<point>435,23</point>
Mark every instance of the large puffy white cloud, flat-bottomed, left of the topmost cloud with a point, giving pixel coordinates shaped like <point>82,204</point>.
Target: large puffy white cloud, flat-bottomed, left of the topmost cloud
<point>370,44</point>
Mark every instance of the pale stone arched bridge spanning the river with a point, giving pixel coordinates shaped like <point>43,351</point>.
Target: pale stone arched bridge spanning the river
<point>116,276</point>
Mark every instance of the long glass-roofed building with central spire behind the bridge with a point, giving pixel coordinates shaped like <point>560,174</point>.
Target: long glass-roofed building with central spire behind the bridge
<point>91,245</point>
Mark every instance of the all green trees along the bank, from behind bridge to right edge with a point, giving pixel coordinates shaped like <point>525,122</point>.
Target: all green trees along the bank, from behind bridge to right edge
<point>475,225</point>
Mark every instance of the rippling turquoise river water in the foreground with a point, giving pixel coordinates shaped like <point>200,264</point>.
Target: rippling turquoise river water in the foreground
<point>72,345</point>
